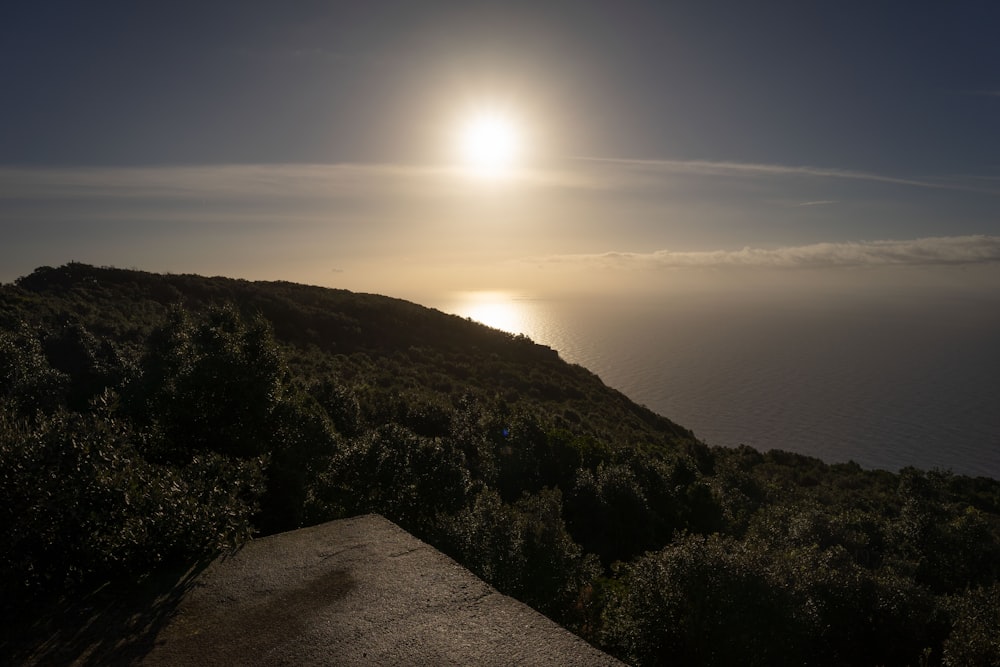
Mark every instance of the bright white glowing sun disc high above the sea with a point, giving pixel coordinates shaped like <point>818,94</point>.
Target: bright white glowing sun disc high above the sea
<point>489,142</point>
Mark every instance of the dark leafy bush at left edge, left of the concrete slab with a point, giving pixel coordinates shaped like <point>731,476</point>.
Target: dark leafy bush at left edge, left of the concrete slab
<point>82,505</point>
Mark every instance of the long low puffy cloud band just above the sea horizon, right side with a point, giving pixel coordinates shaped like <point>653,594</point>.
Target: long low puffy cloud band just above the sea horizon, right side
<point>934,251</point>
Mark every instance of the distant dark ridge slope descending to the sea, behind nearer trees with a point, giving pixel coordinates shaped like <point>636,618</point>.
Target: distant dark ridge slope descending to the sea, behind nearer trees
<point>372,339</point>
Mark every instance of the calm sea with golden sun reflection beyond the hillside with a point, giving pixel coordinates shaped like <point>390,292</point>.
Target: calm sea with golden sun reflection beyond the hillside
<point>884,381</point>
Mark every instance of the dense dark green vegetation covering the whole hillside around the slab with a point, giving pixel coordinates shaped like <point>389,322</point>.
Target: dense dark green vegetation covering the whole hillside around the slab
<point>150,421</point>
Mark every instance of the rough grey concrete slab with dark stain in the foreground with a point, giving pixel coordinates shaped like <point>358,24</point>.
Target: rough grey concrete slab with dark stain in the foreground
<point>359,591</point>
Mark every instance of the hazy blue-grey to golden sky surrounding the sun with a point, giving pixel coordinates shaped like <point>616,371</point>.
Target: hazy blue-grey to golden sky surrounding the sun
<point>663,143</point>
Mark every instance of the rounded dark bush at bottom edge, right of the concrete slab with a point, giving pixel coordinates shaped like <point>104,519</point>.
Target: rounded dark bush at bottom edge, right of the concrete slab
<point>703,601</point>
